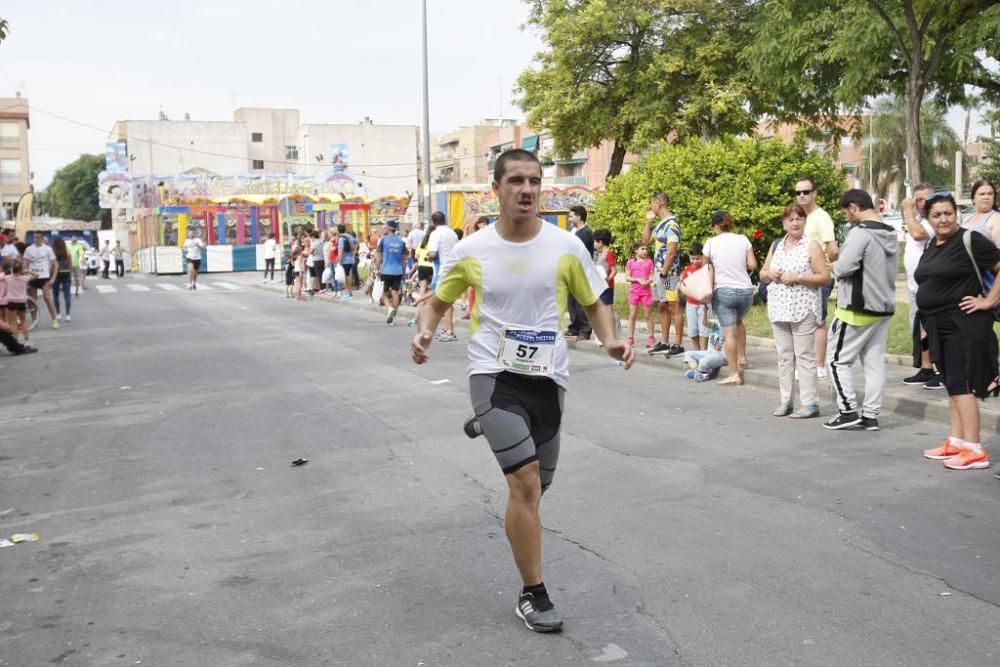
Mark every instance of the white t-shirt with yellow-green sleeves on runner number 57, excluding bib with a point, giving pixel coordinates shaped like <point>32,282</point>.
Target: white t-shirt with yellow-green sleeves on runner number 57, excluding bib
<point>519,286</point>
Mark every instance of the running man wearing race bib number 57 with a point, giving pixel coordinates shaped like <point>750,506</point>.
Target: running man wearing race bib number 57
<point>522,270</point>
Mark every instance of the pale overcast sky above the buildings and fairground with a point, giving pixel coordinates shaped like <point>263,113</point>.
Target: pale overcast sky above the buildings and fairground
<point>96,62</point>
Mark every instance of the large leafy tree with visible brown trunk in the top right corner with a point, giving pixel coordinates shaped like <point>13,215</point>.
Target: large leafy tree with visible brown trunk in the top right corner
<point>816,58</point>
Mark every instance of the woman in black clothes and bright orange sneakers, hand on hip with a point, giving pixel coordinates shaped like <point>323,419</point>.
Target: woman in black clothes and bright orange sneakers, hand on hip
<point>958,318</point>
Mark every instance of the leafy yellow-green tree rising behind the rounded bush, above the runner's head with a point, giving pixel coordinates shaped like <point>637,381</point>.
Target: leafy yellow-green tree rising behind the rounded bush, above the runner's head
<point>635,72</point>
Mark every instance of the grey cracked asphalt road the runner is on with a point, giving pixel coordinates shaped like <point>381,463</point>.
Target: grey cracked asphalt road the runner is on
<point>149,445</point>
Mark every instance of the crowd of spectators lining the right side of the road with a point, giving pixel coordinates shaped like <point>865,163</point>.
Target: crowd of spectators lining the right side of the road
<point>950,263</point>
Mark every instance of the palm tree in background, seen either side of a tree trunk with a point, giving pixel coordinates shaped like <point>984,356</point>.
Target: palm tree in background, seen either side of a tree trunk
<point>886,129</point>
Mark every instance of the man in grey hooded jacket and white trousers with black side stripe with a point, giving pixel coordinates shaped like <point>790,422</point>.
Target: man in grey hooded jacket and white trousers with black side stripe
<point>866,299</point>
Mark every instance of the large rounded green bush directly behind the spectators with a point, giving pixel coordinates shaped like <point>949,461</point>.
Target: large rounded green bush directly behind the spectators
<point>753,179</point>
